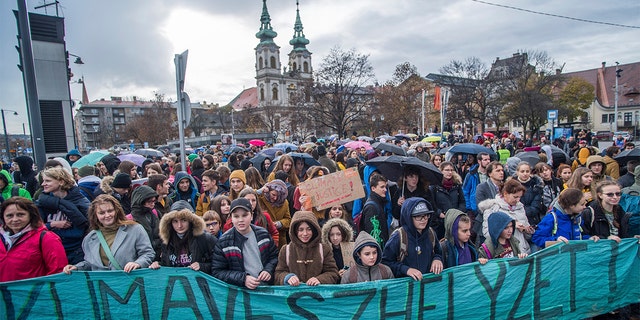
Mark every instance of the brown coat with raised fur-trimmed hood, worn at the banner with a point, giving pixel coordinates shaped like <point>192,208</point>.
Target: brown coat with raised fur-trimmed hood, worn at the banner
<point>306,260</point>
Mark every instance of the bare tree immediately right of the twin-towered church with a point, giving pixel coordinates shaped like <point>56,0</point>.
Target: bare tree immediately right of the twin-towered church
<point>342,91</point>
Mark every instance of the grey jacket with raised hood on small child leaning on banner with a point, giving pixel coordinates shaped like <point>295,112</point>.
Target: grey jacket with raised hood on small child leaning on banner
<point>365,273</point>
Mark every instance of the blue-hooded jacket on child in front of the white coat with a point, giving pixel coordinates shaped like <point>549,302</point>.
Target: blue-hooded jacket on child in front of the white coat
<point>492,248</point>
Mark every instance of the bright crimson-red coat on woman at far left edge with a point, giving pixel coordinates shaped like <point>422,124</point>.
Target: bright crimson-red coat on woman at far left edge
<point>31,257</point>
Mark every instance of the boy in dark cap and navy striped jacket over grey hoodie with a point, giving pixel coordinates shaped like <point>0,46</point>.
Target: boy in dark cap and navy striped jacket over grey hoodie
<point>245,255</point>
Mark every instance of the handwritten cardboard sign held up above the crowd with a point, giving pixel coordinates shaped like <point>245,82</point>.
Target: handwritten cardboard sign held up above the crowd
<point>333,189</point>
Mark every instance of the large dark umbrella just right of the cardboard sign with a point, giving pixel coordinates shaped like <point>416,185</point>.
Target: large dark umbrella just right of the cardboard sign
<point>392,167</point>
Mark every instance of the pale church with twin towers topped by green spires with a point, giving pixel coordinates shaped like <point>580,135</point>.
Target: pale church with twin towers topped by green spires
<point>280,88</point>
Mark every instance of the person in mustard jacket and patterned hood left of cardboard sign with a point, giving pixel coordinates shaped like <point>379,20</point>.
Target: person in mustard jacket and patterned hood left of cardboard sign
<point>273,199</point>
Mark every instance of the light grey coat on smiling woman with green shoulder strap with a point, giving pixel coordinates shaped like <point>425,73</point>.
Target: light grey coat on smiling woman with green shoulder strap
<point>131,244</point>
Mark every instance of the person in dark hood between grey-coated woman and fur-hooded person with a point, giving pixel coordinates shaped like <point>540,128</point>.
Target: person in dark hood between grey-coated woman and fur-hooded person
<point>143,201</point>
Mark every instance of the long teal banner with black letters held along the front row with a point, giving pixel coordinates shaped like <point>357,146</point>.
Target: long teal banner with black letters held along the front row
<point>572,281</point>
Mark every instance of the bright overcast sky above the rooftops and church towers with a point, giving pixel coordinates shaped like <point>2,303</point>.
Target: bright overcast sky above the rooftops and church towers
<point>128,46</point>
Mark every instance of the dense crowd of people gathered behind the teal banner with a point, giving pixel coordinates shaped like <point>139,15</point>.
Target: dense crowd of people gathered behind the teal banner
<point>247,223</point>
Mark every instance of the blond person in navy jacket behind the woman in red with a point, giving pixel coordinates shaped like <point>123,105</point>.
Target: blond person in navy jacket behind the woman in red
<point>64,210</point>
